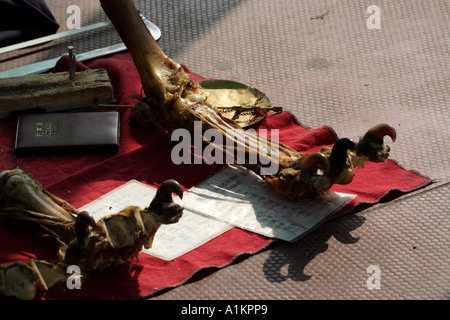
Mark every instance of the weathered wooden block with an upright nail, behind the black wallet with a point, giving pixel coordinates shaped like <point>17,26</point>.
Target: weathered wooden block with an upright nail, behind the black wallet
<point>54,91</point>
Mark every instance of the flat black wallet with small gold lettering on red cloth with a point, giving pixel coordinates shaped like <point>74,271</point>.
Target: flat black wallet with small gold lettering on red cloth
<point>68,132</point>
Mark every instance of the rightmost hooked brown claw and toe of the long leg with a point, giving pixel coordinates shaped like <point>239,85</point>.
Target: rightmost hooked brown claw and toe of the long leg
<point>372,146</point>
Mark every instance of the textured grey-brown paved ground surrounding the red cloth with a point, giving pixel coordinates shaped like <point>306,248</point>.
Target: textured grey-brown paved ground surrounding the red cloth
<point>321,61</point>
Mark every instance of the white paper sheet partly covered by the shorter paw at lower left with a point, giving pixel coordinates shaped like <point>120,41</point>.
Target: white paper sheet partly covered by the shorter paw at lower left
<point>171,241</point>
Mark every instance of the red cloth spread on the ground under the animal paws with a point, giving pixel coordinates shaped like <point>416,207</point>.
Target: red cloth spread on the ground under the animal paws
<point>145,156</point>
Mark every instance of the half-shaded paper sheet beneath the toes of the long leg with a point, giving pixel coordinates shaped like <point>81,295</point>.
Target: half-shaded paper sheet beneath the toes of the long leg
<point>239,197</point>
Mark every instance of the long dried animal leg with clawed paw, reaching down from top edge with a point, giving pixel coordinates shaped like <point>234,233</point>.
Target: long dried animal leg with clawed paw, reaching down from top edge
<point>172,100</point>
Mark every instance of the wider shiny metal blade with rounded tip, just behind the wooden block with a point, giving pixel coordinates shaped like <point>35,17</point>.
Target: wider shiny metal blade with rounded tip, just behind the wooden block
<point>46,65</point>
